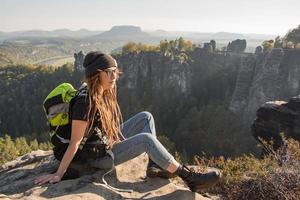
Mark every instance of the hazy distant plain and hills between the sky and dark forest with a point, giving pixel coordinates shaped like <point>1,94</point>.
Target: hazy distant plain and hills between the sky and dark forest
<point>35,45</point>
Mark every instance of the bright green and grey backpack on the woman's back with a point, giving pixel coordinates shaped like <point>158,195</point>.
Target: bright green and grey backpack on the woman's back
<point>56,106</point>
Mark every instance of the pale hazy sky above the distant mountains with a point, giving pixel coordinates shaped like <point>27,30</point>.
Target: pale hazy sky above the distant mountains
<point>240,16</point>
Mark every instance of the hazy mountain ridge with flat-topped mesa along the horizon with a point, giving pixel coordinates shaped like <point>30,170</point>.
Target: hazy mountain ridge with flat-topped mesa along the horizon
<point>130,31</point>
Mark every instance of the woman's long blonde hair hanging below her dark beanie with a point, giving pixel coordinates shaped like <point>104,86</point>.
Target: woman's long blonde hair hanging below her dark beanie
<point>105,103</point>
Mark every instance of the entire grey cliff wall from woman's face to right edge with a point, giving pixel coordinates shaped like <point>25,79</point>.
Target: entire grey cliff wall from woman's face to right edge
<point>257,78</point>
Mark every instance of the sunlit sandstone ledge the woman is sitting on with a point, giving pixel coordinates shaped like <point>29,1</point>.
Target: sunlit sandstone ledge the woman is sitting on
<point>17,181</point>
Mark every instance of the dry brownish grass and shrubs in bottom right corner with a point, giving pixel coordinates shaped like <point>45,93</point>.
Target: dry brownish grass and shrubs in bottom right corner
<point>277,176</point>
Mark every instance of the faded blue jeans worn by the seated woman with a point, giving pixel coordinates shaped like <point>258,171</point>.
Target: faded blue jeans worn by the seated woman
<point>139,136</point>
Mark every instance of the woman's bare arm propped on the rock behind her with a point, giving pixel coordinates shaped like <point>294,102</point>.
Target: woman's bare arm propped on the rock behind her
<point>77,133</point>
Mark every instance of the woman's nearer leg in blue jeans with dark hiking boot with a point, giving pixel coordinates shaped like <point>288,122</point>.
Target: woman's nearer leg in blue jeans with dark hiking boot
<point>145,142</point>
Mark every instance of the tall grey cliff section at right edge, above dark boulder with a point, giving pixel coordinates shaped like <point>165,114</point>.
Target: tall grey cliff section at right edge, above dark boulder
<point>265,77</point>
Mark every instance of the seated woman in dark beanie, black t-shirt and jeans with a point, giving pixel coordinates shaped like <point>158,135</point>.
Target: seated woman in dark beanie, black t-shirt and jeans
<point>99,114</point>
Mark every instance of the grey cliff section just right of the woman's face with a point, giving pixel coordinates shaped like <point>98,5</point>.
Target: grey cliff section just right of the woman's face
<point>154,70</point>
